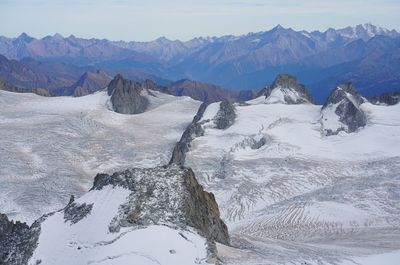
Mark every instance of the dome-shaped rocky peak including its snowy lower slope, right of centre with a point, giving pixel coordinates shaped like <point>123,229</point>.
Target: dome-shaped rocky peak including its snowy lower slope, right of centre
<point>285,89</point>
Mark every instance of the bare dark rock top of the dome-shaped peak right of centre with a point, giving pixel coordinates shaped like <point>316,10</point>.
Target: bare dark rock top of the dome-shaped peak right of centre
<point>294,93</point>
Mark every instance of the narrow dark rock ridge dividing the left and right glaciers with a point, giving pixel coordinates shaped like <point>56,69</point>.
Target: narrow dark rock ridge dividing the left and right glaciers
<point>193,130</point>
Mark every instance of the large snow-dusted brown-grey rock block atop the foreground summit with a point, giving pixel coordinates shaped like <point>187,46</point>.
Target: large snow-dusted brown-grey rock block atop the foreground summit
<point>166,195</point>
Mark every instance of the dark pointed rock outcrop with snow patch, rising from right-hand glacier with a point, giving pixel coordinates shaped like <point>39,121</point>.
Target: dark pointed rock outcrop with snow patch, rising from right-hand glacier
<point>345,101</point>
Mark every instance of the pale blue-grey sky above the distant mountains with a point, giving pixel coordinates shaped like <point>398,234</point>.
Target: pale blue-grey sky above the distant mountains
<point>185,19</point>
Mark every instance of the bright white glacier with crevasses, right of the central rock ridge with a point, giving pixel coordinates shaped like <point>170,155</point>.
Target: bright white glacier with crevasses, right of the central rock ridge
<point>291,195</point>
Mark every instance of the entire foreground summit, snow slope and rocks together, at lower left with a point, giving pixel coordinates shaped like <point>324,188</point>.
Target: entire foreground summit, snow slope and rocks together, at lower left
<point>117,209</point>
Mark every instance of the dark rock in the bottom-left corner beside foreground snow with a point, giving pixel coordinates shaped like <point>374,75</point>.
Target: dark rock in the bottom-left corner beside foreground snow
<point>17,241</point>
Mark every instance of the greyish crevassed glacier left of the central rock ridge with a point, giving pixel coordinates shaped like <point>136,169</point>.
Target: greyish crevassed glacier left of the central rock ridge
<point>51,148</point>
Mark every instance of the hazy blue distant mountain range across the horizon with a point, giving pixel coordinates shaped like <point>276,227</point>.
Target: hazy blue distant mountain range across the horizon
<point>367,55</point>
